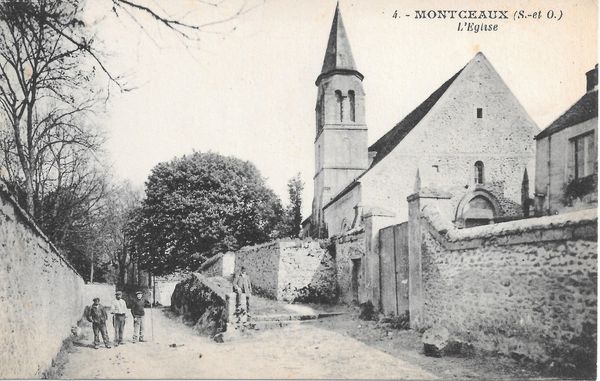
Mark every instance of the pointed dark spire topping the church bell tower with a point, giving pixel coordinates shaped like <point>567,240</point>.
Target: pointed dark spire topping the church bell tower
<point>338,56</point>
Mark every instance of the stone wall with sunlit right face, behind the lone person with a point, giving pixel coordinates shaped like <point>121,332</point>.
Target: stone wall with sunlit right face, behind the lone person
<point>302,271</point>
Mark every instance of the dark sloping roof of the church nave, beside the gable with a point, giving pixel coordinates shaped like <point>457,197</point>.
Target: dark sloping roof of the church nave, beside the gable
<point>393,137</point>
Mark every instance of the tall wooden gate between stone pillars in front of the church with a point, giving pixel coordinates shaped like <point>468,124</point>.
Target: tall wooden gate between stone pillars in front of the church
<point>393,269</point>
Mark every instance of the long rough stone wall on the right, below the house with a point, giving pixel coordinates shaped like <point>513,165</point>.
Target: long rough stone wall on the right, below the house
<point>525,288</point>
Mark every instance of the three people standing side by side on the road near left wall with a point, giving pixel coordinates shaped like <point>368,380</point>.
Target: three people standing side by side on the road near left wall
<point>96,314</point>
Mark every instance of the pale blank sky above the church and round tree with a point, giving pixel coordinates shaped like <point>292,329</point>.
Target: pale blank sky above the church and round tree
<point>251,93</point>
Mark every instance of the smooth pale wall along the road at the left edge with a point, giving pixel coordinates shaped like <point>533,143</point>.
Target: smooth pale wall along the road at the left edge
<point>42,295</point>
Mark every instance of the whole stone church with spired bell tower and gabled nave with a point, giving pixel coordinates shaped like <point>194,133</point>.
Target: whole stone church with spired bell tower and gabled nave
<point>471,139</point>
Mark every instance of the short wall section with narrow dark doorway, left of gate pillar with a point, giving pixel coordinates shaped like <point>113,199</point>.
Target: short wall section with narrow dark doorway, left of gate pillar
<point>350,252</point>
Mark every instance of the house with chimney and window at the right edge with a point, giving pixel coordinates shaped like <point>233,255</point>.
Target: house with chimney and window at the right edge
<point>566,170</point>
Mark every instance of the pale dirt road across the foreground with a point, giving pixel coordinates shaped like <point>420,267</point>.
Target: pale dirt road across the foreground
<point>296,351</point>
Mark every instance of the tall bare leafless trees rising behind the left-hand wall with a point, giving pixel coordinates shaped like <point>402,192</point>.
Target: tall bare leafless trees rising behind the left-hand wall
<point>50,65</point>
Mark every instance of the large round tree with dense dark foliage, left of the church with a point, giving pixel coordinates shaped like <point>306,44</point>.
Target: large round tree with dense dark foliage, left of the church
<point>199,205</point>
